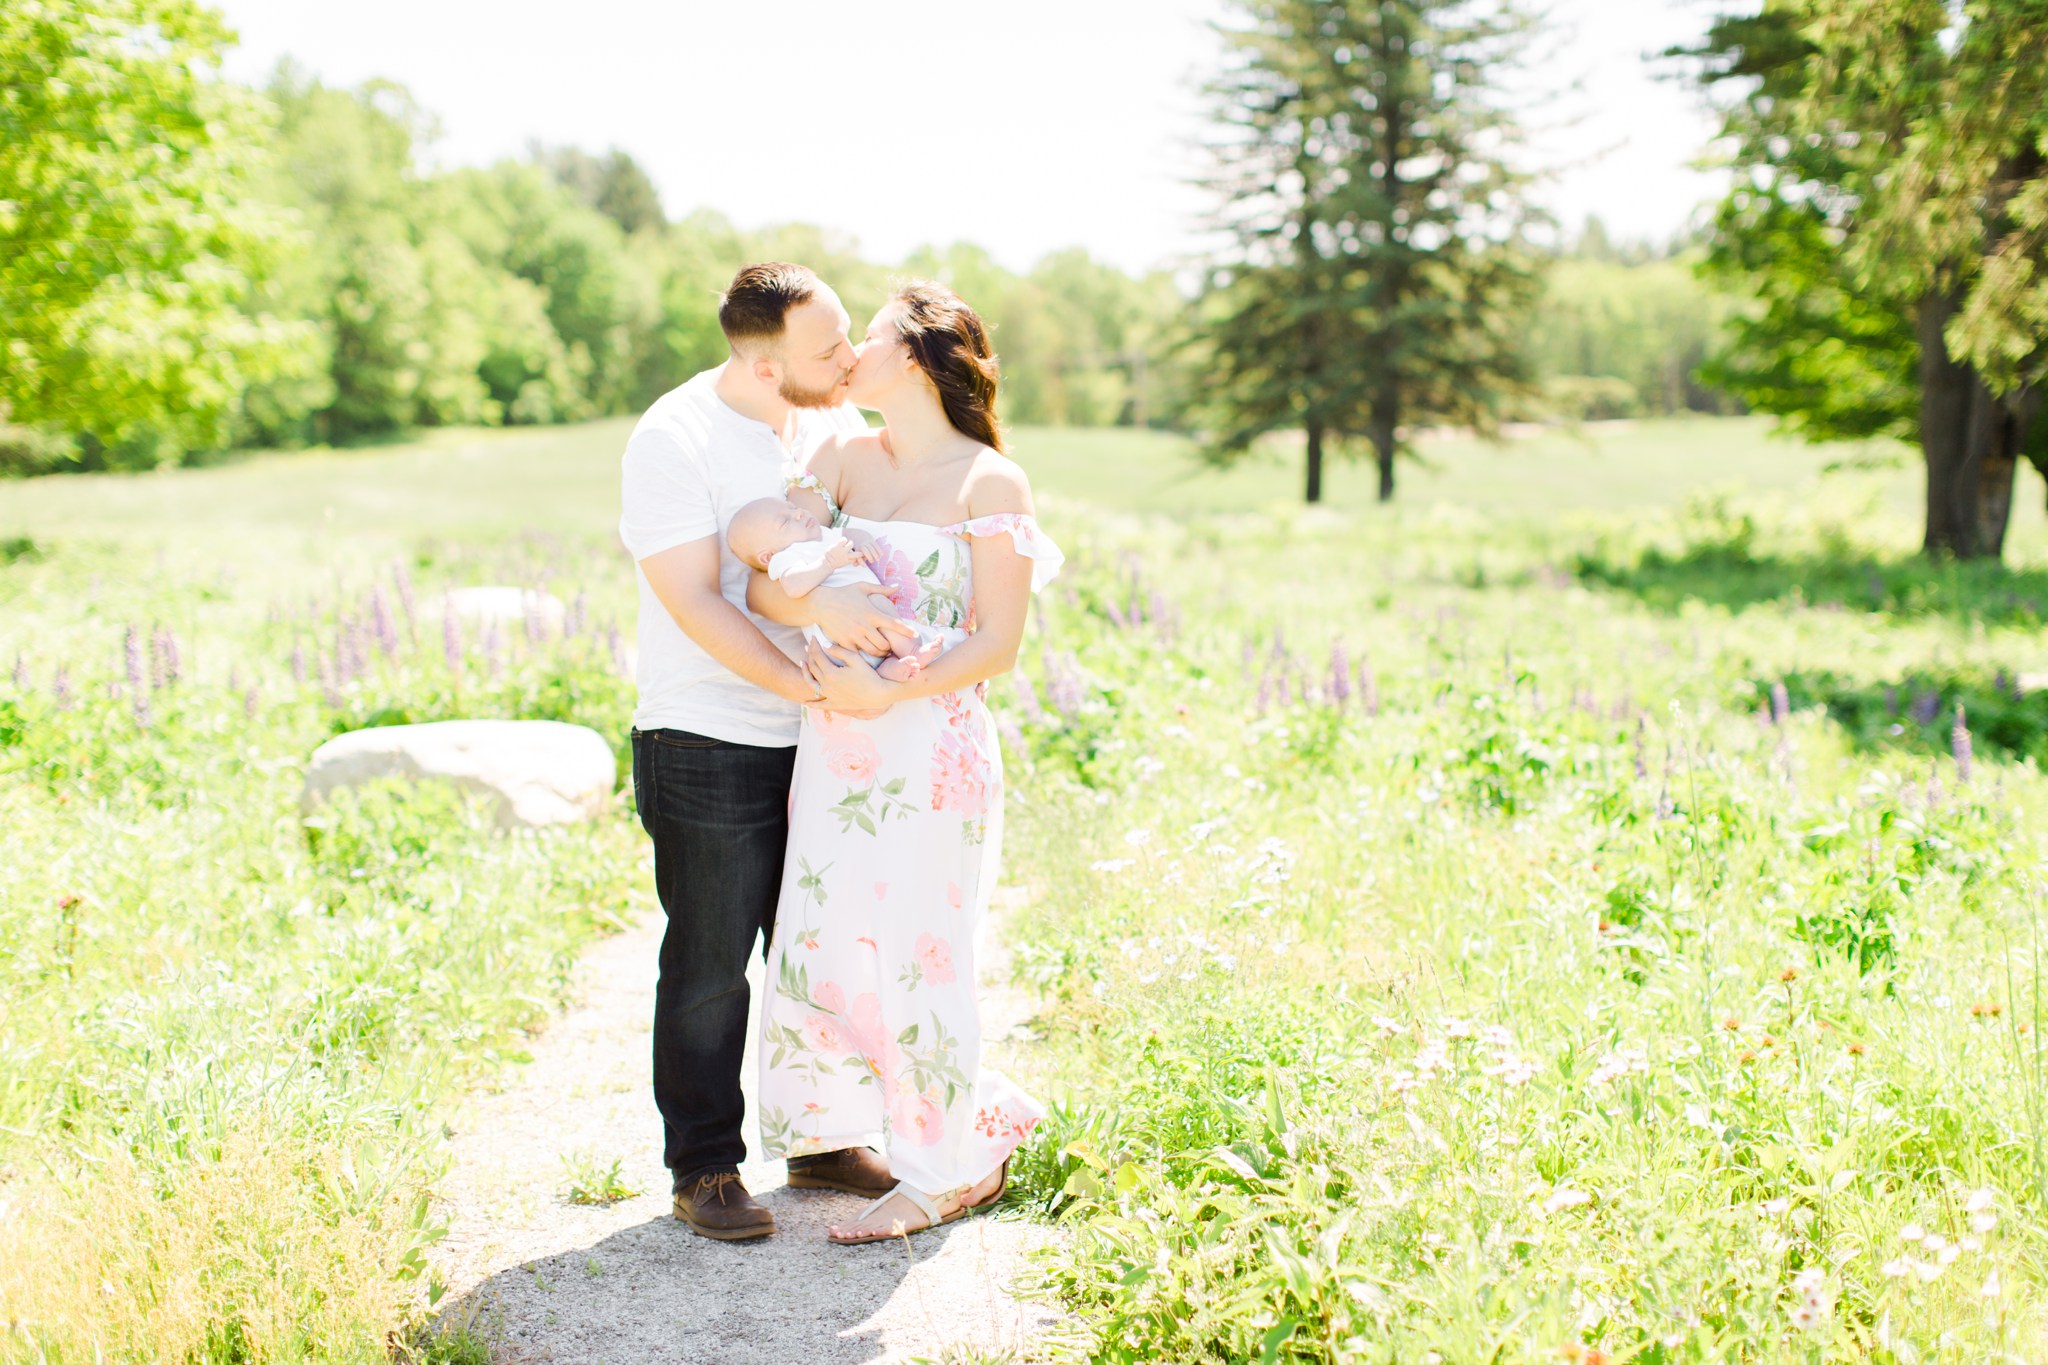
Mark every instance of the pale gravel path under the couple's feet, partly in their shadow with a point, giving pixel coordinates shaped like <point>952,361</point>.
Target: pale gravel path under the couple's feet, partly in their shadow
<point>546,1280</point>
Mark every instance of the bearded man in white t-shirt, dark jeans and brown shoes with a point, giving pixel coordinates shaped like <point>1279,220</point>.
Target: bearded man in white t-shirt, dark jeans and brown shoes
<point>716,730</point>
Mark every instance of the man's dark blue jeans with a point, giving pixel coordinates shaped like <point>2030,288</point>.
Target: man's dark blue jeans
<point>718,816</point>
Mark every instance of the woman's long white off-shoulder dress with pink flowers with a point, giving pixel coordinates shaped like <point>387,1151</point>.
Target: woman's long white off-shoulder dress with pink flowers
<point>894,846</point>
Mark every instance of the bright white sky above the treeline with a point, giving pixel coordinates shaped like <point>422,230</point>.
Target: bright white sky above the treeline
<point>1023,128</point>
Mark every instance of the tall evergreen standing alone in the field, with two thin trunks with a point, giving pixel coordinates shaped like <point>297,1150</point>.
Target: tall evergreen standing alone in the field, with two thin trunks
<point>1379,271</point>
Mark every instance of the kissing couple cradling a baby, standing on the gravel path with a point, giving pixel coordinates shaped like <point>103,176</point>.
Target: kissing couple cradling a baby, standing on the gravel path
<point>820,613</point>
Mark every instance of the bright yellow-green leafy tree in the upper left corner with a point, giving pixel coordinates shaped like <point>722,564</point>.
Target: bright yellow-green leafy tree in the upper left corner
<point>130,247</point>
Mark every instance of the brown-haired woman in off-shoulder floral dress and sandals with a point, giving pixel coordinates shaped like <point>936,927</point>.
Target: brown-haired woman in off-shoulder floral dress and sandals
<point>896,822</point>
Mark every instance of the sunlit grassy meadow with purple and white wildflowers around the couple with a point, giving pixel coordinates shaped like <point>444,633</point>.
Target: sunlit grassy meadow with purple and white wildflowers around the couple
<point>1562,916</point>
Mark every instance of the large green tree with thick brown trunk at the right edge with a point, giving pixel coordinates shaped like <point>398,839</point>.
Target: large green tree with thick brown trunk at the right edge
<point>1889,224</point>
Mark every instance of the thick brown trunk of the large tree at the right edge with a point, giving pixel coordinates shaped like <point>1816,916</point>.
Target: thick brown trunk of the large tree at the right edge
<point>1971,443</point>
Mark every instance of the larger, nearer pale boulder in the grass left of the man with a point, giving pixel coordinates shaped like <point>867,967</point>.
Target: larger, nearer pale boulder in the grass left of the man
<point>536,773</point>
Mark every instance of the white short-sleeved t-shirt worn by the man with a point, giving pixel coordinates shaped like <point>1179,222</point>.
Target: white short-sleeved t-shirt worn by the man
<point>689,468</point>
